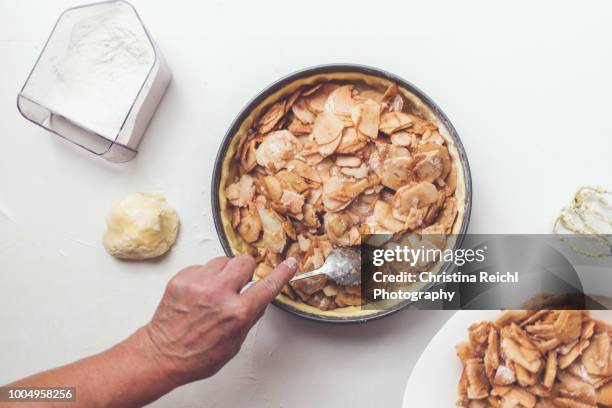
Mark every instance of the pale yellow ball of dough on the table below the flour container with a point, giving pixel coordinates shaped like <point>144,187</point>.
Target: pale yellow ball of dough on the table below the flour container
<point>140,226</point>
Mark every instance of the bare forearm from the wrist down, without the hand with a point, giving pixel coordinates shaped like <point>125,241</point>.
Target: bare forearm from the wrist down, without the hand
<point>127,375</point>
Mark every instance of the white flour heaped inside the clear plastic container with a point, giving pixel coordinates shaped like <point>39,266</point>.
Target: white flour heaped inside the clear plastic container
<point>98,77</point>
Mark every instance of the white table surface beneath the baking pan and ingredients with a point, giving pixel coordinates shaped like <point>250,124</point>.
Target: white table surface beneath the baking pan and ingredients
<point>527,85</point>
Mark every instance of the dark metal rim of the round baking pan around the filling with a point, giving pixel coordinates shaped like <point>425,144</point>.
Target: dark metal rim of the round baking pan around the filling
<point>332,69</point>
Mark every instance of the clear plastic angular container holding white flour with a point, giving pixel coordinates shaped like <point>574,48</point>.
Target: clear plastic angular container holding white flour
<point>118,139</point>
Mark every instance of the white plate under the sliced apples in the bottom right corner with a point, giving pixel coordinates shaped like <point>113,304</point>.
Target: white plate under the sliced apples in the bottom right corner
<point>433,382</point>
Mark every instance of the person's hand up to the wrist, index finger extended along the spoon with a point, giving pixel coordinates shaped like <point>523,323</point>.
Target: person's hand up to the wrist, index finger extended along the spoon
<point>203,318</point>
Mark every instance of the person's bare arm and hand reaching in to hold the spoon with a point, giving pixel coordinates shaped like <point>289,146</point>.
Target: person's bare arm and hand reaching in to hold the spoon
<point>198,326</point>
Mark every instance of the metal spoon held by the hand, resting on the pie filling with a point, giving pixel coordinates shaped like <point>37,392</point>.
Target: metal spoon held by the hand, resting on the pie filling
<point>343,266</point>
